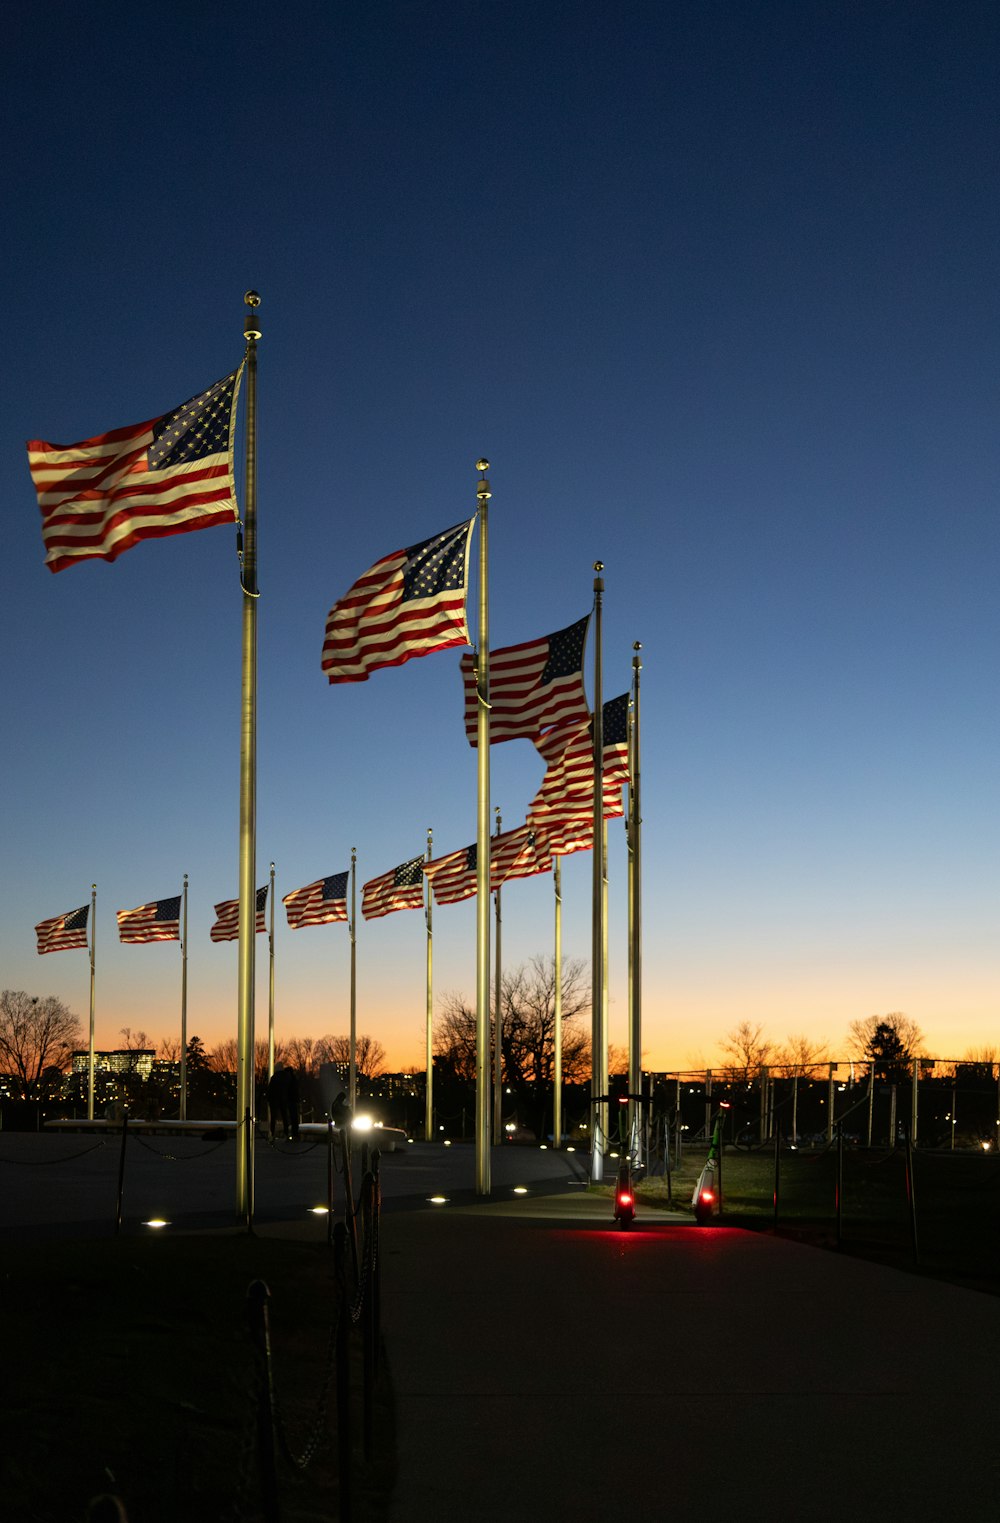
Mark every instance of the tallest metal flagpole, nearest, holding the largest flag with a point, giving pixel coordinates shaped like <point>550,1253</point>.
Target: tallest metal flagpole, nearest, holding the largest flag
<point>249,791</point>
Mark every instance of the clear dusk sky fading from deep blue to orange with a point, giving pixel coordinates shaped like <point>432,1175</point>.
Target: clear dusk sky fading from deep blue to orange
<point>715,289</point>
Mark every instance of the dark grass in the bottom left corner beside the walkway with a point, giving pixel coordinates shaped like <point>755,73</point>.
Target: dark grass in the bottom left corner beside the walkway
<point>129,1368</point>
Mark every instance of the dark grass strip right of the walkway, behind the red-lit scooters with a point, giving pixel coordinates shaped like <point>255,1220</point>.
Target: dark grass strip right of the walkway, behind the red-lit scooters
<point>958,1205</point>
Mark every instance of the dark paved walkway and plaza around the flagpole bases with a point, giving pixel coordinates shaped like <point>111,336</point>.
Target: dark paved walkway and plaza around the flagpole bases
<point>547,1365</point>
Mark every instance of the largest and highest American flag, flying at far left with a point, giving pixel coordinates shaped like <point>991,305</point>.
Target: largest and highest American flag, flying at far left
<point>176,473</point>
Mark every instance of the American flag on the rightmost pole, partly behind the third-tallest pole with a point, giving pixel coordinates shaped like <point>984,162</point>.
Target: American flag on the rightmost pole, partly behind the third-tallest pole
<point>567,794</point>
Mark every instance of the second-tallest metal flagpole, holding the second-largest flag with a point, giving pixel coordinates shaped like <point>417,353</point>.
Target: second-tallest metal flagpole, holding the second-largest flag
<point>483,846</point>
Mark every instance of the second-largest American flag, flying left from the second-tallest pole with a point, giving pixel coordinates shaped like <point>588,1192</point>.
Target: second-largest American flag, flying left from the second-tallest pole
<point>407,605</point>
